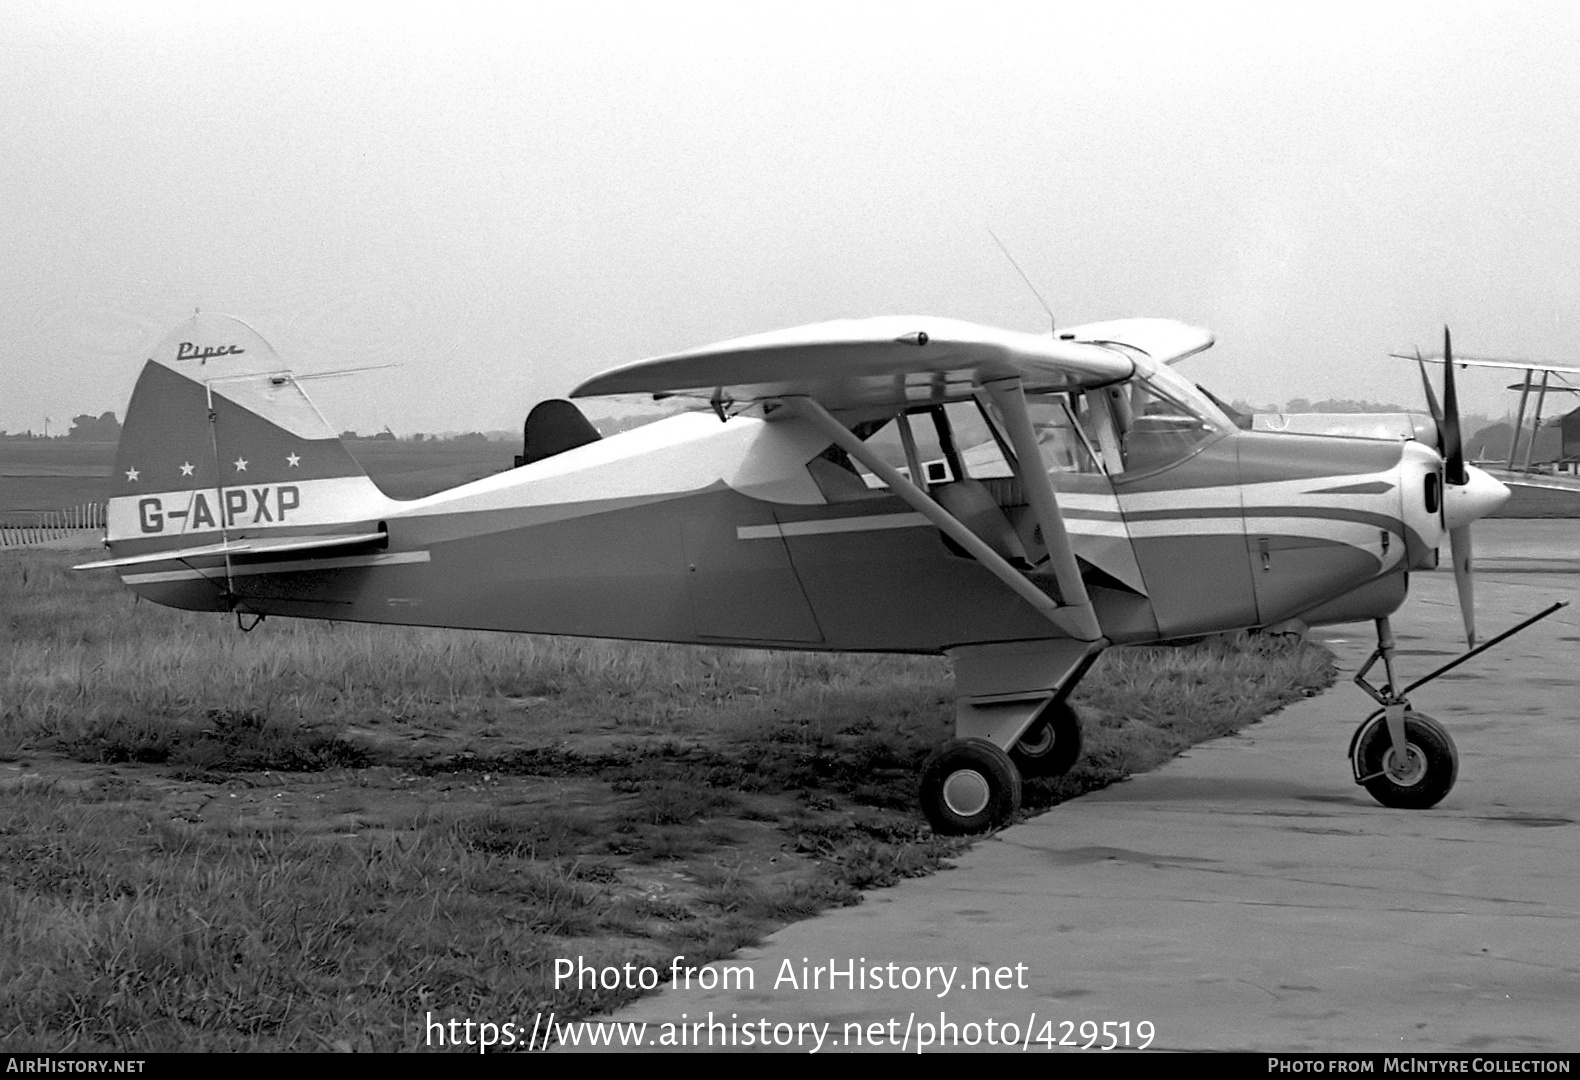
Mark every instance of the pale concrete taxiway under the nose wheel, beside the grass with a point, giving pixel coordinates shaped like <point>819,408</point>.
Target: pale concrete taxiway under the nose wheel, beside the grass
<point>1249,896</point>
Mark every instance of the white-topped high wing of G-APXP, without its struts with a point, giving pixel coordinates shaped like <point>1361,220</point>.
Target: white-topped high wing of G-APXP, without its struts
<point>898,361</point>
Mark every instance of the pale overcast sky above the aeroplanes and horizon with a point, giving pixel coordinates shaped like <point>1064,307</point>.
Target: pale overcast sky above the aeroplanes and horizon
<point>506,200</point>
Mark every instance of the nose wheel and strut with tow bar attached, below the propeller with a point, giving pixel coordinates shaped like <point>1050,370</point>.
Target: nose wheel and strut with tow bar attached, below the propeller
<point>1405,759</point>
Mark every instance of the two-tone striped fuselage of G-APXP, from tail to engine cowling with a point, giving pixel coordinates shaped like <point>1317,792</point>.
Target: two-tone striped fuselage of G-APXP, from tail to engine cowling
<point>701,531</point>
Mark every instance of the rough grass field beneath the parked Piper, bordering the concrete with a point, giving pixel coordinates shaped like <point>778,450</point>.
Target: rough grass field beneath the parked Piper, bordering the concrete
<point>318,836</point>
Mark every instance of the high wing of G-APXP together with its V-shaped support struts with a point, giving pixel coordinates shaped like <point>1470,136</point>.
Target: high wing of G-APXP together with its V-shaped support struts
<point>911,362</point>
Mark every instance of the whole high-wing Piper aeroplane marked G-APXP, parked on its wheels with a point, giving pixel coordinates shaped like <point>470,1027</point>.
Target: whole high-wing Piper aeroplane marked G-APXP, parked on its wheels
<point>1015,501</point>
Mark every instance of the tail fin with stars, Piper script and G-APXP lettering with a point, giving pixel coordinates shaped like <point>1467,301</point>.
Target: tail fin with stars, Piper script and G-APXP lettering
<point>220,444</point>
